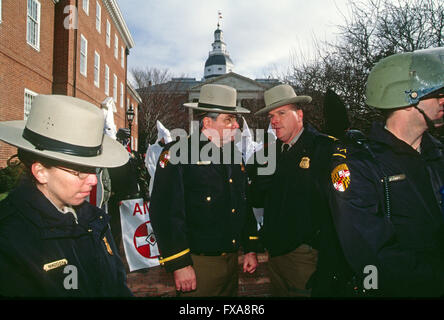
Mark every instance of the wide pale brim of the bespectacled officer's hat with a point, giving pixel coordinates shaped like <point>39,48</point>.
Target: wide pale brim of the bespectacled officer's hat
<point>113,153</point>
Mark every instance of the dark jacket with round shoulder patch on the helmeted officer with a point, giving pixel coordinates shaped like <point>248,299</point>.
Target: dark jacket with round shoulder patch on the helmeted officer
<point>400,231</point>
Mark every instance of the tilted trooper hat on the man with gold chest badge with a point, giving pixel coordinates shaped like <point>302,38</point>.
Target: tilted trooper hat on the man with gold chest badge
<point>279,96</point>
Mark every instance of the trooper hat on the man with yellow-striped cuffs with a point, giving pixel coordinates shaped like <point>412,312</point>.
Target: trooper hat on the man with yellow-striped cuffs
<point>217,98</point>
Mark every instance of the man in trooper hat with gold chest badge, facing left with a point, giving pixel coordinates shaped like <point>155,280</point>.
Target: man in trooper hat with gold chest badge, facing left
<point>293,204</point>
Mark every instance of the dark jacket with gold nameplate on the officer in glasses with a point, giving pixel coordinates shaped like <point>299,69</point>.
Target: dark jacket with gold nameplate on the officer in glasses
<point>45,253</point>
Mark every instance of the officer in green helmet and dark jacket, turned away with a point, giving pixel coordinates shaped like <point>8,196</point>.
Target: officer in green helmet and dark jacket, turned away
<point>385,188</point>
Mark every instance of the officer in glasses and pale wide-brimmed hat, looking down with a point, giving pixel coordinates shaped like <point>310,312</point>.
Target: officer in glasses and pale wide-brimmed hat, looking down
<point>52,242</point>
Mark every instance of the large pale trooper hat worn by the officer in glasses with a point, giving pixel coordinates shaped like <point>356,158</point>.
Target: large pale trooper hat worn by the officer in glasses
<point>67,129</point>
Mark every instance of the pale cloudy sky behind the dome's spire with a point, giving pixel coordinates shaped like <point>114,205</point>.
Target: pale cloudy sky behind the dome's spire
<point>261,35</point>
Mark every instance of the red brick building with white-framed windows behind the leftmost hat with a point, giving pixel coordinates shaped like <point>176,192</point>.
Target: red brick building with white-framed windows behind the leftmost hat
<point>72,47</point>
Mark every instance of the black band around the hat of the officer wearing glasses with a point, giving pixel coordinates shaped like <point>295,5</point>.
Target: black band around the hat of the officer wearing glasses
<point>44,143</point>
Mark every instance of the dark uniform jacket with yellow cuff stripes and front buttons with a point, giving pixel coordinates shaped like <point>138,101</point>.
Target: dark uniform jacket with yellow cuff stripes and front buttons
<point>199,206</point>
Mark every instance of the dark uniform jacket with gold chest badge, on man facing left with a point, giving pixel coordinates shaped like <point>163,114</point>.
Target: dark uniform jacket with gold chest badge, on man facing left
<point>293,205</point>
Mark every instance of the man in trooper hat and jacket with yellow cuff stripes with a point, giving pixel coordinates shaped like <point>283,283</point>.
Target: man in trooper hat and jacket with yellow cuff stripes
<point>198,207</point>
